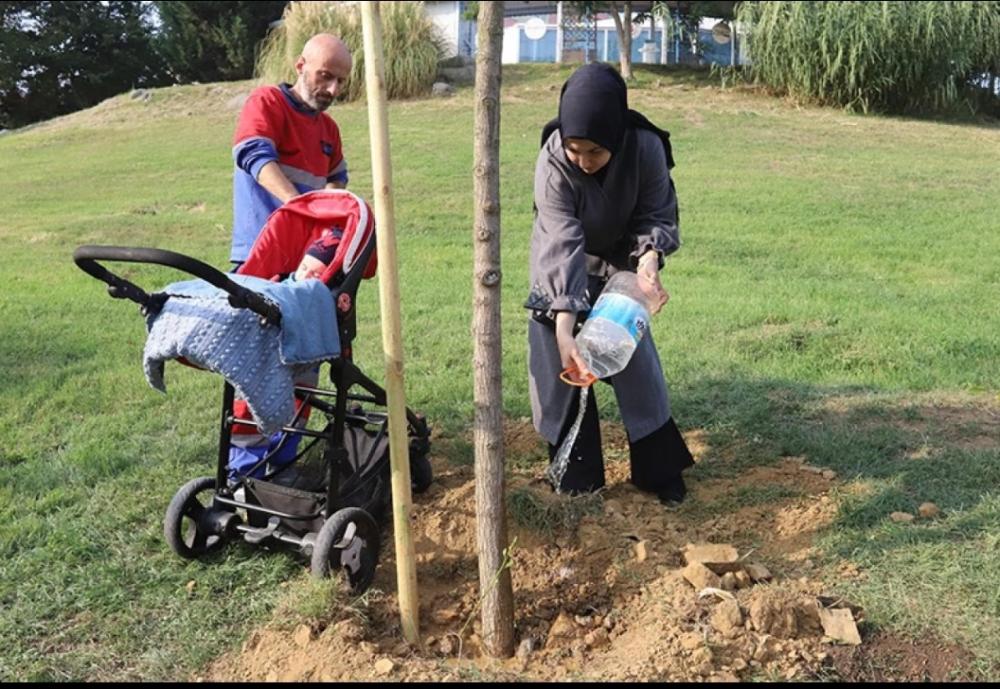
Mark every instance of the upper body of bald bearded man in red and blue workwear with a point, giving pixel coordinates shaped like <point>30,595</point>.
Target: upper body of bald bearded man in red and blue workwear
<point>285,144</point>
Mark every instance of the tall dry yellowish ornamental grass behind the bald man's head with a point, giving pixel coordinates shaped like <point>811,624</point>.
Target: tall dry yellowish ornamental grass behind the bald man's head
<point>412,44</point>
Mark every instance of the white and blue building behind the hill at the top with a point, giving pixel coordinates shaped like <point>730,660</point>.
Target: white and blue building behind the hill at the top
<point>550,32</point>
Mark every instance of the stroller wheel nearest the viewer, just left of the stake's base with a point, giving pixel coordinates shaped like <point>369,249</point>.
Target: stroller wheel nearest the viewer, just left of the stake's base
<point>347,543</point>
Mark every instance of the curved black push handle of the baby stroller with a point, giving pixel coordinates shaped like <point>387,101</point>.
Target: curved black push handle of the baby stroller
<point>87,257</point>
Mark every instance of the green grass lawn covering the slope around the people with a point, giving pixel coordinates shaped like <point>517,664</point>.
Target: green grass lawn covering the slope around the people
<point>835,268</point>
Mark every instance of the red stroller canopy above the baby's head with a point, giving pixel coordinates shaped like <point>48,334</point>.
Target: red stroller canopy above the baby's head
<point>290,230</point>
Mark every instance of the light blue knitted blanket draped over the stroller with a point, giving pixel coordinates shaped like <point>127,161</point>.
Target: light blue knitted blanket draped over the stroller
<point>261,362</point>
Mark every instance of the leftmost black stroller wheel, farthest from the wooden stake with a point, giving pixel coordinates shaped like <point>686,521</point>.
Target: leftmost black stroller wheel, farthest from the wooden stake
<point>191,526</point>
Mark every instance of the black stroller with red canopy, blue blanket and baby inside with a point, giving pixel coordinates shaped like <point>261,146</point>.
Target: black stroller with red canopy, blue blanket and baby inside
<point>330,509</point>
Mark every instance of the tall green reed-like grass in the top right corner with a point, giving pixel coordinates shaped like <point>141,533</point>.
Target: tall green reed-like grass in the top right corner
<point>885,56</point>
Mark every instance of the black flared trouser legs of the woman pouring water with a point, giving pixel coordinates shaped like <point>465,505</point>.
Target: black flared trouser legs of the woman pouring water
<point>656,460</point>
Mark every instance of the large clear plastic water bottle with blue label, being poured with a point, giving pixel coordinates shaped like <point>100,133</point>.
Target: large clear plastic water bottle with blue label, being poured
<point>615,326</point>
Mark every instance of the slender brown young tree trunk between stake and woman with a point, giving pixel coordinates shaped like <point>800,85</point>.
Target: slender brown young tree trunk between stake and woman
<point>495,586</point>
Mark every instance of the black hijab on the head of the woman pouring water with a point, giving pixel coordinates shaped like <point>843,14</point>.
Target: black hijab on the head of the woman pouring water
<point>594,105</point>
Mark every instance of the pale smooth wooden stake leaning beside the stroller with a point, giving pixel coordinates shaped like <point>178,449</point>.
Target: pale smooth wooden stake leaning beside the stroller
<point>392,344</point>
